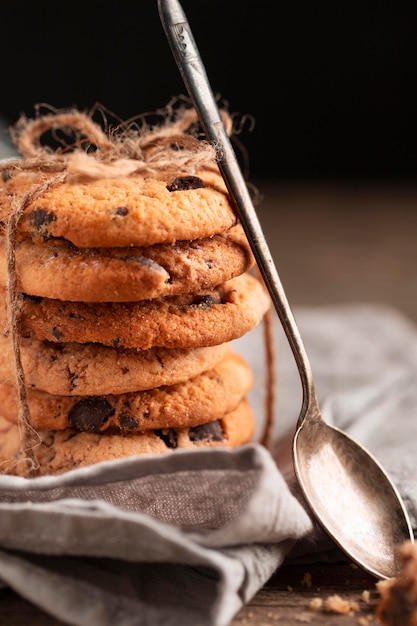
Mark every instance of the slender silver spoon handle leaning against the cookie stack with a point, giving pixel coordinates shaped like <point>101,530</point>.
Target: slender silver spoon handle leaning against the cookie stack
<point>189,62</point>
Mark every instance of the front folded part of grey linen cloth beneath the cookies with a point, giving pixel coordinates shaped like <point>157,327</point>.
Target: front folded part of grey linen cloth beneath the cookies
<point>182,539</point>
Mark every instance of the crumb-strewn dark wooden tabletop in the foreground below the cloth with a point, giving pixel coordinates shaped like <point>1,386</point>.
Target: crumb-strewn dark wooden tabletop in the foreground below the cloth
<point>285,600</point>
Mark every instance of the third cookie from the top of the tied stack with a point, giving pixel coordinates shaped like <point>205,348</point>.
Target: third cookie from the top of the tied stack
<point>188,321</point>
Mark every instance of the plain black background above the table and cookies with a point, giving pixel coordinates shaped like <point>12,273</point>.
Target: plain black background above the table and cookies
<point>331,86</point>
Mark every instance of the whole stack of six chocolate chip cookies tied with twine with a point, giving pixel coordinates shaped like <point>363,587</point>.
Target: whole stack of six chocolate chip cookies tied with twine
<point>128,293</point>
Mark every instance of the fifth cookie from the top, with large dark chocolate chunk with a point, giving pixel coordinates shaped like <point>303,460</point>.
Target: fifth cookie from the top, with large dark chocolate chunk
<point>205,398</point>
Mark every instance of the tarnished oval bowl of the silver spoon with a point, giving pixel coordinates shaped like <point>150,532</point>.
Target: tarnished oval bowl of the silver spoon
<point>350,495</point>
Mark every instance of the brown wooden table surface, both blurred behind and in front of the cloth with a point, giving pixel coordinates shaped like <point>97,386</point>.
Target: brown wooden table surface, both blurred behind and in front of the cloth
<point>331,244</point>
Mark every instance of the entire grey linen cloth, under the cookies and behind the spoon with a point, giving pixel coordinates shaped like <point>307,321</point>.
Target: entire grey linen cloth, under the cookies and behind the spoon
<point>190,537</point>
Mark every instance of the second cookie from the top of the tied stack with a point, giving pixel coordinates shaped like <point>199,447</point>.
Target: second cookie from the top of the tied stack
<point>62,271</point>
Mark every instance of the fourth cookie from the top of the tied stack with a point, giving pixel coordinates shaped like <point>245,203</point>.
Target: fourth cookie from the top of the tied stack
<point>93,369</point>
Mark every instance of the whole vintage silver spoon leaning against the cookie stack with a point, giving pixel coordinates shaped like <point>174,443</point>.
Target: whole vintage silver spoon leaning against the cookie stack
<point>345,487</point>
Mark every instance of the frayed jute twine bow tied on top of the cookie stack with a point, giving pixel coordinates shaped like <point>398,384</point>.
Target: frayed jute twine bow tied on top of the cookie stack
<point>128,149</point>
